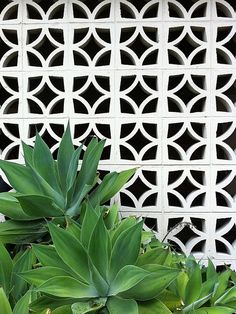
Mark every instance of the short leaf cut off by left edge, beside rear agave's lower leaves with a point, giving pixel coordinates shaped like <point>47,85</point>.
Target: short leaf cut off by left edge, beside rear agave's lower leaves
<point>10,207</point>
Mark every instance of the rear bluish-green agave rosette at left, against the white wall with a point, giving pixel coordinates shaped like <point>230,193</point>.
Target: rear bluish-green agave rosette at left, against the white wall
<point>47,189</point>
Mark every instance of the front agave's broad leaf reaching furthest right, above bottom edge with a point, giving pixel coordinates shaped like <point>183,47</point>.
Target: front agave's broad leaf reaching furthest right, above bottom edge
<point>152,285</point>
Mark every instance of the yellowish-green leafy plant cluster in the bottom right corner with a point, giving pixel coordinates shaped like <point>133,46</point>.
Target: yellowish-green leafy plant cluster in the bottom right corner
<point>200,290</point>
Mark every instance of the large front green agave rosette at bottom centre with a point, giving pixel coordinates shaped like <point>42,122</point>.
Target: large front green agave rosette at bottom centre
<point>96,268</point>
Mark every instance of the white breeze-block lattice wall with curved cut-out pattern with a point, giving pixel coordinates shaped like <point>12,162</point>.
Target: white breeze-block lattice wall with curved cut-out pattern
<point>157,79</point>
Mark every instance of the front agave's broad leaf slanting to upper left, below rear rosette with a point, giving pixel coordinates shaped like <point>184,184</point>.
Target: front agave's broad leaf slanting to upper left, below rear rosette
<point>74,255</point>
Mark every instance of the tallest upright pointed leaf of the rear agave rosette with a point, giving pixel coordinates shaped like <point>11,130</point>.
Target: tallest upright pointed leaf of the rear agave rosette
<point>64,157</point>
